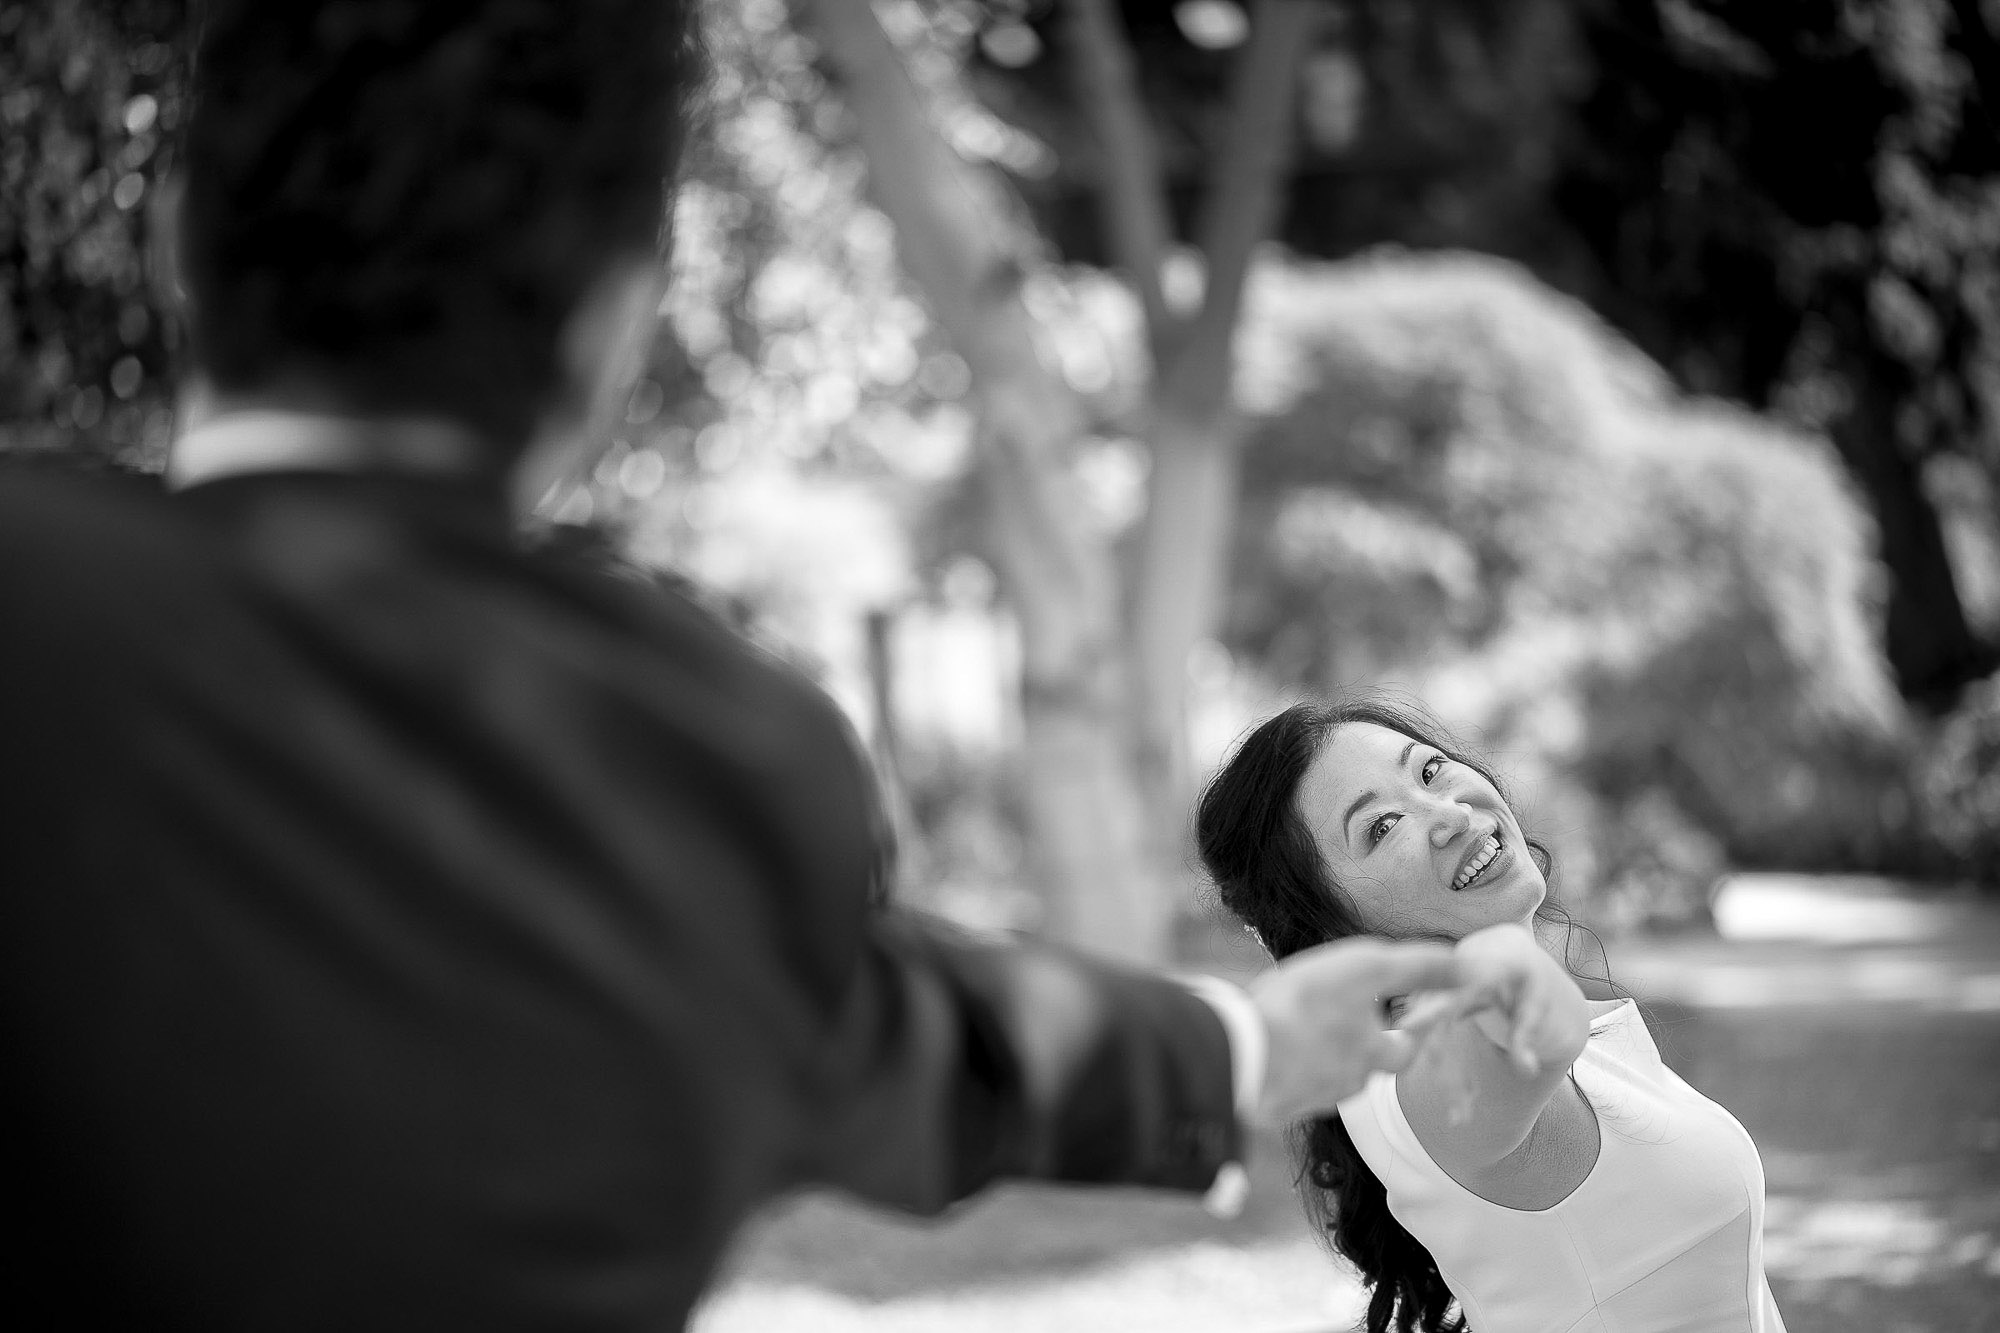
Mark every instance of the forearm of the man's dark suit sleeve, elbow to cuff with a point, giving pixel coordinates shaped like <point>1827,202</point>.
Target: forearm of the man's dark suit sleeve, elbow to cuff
<point>967,1060</point>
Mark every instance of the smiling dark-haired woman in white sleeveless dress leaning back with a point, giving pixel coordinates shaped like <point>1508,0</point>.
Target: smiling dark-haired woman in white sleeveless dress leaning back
<point>1539,1168</point>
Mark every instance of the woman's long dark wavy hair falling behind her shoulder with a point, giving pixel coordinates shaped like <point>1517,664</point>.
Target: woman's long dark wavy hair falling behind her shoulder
<point>1273,878</point>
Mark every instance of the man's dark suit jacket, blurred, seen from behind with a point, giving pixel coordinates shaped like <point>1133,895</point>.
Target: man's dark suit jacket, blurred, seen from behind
<point>405,930</point>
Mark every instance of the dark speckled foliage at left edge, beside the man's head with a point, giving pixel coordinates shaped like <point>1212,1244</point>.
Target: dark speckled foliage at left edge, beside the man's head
<point>91,93</point>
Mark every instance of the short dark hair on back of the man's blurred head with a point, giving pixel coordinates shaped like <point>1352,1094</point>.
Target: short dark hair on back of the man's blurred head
<point>401,201</point>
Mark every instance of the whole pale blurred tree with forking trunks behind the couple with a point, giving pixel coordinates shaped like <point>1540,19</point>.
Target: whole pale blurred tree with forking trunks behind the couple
<point>1105,716</point>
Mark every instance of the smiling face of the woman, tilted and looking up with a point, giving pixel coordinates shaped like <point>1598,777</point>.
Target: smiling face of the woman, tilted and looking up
<point>1419,844</point>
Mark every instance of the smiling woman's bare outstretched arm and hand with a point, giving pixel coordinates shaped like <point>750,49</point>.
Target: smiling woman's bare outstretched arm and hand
<point>1485,1078</point>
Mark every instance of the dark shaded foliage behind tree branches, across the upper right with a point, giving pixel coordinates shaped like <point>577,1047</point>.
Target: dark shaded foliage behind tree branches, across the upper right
<point>1791,205</point>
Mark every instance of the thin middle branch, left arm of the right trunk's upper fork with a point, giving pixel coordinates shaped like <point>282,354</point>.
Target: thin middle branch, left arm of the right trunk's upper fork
<point>1131,195</point>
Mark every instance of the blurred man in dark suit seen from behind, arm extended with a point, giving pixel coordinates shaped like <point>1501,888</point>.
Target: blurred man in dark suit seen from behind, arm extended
<point>405,930</point>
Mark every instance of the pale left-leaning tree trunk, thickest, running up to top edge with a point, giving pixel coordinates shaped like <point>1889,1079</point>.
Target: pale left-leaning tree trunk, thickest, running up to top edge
<point>1055,571</point>
